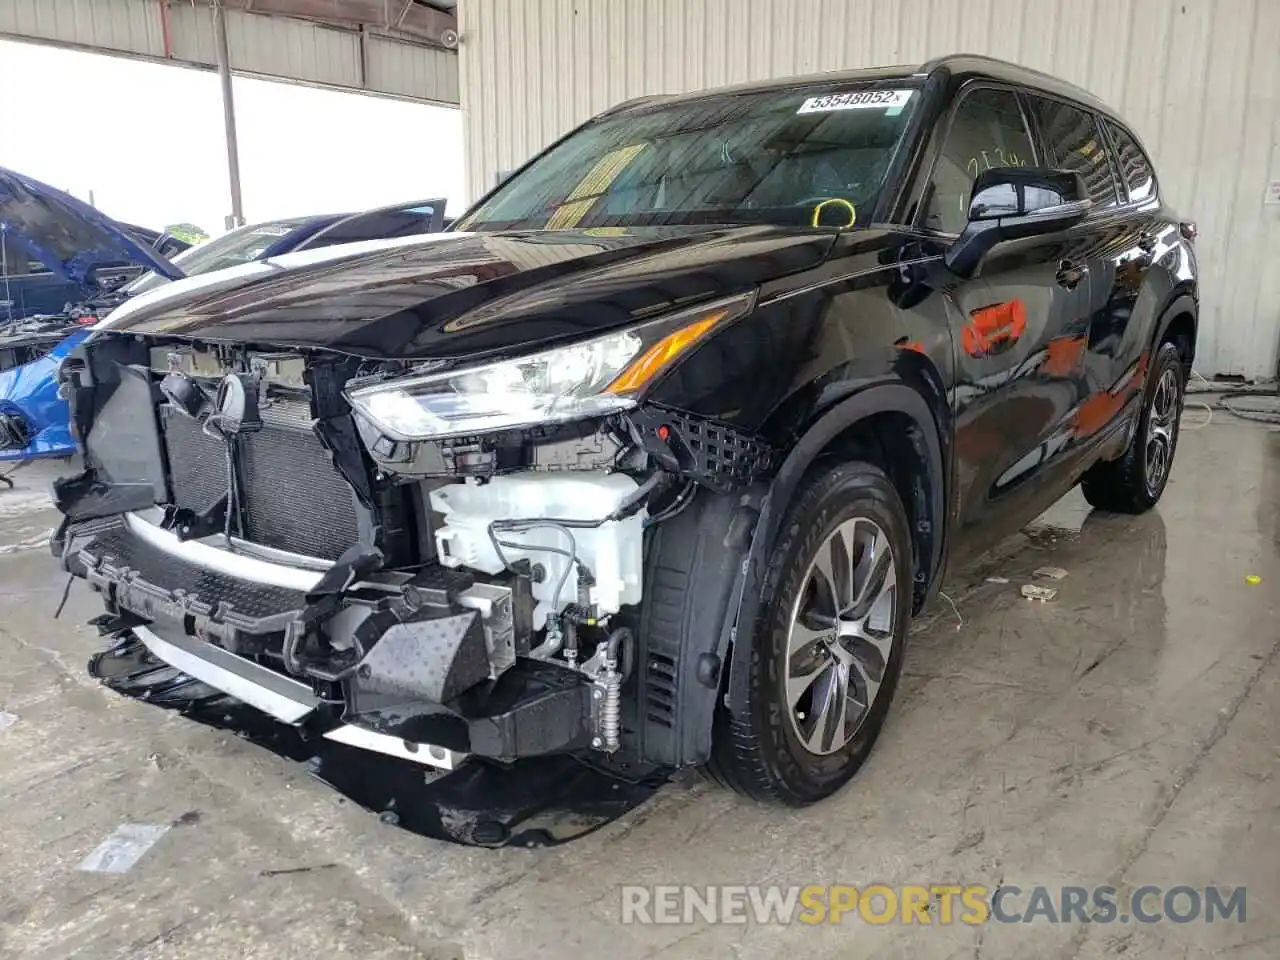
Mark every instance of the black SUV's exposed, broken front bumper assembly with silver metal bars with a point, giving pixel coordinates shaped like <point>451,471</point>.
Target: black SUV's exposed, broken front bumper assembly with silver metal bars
<point>414,684</point>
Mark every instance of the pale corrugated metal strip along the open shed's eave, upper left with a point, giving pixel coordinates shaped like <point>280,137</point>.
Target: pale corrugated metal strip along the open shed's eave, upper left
<point>286,48</point>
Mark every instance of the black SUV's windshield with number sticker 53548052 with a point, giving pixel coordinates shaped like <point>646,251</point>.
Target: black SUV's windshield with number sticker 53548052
<point>746,158</point>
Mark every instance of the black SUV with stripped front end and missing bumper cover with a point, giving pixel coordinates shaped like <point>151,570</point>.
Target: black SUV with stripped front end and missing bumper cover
<point>652,459</point>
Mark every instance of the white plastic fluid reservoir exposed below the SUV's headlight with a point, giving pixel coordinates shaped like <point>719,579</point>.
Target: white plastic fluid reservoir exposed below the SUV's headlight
<point>612,552</point>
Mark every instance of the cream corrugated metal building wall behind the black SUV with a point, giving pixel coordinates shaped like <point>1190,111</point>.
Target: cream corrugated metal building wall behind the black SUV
<point>1200,80</point>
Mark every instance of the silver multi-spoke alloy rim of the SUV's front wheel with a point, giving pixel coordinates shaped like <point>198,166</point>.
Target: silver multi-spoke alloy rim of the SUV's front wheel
<point>842,636</point>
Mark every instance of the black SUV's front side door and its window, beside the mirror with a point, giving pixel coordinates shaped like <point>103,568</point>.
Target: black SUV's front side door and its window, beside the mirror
<point>1021,328</point>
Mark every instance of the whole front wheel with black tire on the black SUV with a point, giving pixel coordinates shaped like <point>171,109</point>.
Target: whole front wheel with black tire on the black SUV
<point>769,751</point>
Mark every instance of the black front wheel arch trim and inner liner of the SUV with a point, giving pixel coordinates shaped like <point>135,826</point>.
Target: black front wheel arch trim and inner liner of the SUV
<point>743,529</point>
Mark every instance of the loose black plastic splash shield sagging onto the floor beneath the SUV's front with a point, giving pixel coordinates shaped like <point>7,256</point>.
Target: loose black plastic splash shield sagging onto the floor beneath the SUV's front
<point>536,802</point>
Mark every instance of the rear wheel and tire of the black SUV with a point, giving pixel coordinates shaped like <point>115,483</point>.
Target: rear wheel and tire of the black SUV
<point>1135,482</point>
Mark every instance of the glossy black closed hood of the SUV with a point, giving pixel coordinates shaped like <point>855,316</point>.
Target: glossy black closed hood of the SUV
<point>452,295</point>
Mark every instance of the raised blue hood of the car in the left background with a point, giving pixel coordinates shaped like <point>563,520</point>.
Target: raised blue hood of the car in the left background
<point>67,236</point>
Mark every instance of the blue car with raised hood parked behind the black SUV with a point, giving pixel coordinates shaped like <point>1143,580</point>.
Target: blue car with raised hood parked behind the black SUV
<point>79,244</point>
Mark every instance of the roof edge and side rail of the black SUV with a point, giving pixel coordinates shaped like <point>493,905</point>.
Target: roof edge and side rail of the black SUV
<point>954,65</point>
